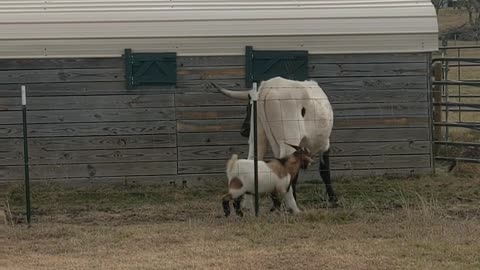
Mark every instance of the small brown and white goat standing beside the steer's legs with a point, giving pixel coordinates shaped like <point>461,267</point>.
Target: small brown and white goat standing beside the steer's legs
<point>273,177</point>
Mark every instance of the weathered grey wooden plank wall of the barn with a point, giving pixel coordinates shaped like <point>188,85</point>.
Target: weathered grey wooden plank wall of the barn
<point>85,127</point>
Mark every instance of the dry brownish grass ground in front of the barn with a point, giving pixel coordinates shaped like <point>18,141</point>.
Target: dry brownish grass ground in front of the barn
<point>417,223</point>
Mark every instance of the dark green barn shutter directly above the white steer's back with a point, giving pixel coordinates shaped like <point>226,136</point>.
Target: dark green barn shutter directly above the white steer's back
<point>264,65</point>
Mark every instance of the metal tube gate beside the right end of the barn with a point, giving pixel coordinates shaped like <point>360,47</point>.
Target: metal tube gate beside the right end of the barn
<point>456,104</point>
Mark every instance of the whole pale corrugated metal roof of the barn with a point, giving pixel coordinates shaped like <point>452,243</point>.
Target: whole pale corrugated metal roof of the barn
<point>58,28</point>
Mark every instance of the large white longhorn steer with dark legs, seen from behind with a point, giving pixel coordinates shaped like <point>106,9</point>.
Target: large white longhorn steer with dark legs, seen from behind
<point>293,112</point>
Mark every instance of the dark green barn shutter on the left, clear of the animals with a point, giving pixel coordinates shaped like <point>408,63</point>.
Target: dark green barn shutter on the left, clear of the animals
<point>151,69</point>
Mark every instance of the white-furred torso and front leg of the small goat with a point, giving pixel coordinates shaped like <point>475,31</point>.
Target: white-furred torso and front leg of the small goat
<point>268,181</point>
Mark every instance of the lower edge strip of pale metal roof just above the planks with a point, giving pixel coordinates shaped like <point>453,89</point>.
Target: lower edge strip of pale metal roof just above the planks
<point>222,46</point>
